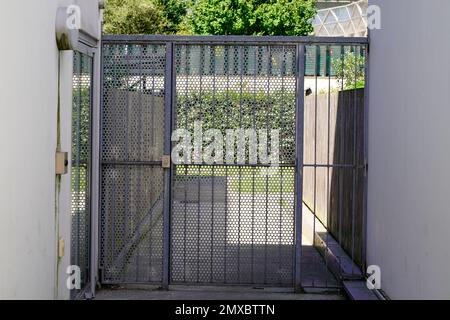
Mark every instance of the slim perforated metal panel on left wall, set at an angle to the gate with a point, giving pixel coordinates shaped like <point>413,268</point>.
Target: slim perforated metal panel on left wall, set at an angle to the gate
<point>81,166</point>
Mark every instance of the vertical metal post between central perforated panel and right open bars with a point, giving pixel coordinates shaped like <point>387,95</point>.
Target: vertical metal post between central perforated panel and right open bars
<point>299,165</point>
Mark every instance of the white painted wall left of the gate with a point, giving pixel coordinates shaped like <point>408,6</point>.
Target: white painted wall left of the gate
<point>29,218</point>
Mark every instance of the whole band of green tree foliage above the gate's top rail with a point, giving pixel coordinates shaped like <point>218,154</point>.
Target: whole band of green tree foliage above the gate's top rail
<point>210,17</point>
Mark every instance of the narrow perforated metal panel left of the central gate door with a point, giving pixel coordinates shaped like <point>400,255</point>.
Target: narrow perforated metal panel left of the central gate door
<point>132,177</point>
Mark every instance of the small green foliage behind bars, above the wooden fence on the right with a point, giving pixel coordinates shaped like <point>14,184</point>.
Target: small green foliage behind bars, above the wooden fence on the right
<point>350,69</point>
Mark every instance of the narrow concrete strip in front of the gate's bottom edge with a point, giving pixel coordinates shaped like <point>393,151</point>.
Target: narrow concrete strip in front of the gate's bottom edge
<point>208,293</point>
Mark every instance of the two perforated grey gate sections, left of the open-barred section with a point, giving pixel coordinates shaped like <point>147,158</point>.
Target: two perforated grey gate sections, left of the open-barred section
<point>228,209</point>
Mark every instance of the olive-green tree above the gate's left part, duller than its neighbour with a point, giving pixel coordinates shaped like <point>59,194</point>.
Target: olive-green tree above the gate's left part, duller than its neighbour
<point>144,16</point>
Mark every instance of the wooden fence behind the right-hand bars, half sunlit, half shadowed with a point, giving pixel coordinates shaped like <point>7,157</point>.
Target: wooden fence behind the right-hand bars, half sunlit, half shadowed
<point>329,135</point>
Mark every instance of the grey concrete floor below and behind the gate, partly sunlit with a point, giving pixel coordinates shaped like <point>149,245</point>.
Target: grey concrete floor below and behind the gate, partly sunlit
<point>316,278</point>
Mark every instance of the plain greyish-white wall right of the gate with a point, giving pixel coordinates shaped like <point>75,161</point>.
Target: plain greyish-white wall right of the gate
<point>409,149</point>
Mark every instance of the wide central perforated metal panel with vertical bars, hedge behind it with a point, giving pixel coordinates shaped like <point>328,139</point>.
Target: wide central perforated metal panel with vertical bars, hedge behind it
<point>233,223</point>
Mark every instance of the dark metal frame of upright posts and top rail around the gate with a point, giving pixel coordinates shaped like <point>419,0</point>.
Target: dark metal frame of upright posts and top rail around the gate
<point>169,41</point>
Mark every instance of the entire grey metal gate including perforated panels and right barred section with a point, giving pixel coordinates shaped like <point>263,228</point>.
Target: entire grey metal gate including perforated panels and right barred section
<point>233,221</point>
